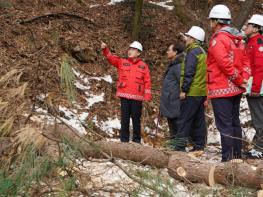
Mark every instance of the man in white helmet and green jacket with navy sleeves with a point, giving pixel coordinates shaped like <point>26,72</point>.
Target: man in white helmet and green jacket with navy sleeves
<point>191,121</point>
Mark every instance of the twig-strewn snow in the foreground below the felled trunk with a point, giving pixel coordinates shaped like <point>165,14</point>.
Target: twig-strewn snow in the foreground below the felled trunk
<point>108,176</point>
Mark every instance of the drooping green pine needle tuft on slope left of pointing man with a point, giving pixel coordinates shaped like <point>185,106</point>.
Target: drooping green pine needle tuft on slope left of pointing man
<point>67,77</point>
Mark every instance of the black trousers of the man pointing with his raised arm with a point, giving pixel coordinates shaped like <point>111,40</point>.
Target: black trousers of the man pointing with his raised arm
<point>130,109</point>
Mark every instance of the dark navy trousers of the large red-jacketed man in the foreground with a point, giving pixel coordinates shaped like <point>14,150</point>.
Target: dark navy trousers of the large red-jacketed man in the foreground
<point>226,112</point>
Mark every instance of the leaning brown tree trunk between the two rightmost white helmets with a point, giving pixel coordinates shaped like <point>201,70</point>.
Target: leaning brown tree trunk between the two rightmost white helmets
<point>246,9</point>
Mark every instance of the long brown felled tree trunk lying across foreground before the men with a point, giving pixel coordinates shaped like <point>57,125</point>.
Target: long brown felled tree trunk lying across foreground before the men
<point>183,167</point>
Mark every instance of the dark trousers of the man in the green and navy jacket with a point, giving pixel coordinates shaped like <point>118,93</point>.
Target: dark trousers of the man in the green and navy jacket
<point>191,122</point>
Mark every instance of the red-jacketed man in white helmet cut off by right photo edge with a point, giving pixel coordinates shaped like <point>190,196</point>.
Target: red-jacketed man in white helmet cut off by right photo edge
<point>254,48</point>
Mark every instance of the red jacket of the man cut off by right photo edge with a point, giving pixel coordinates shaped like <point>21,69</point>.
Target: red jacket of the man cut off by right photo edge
<point>255,52</point>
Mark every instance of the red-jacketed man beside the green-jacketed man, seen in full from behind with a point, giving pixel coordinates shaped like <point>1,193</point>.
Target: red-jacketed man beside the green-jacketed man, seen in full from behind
<point>228,72</point>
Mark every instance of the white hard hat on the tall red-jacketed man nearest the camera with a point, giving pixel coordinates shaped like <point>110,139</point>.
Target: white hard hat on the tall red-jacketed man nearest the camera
<point>220,12</point>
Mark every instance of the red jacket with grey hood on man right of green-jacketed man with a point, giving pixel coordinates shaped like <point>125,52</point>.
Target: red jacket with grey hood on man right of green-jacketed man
<point>227,64</point>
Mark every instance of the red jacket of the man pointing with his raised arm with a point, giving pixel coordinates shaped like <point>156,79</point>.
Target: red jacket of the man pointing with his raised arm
<point>133,77</point>
